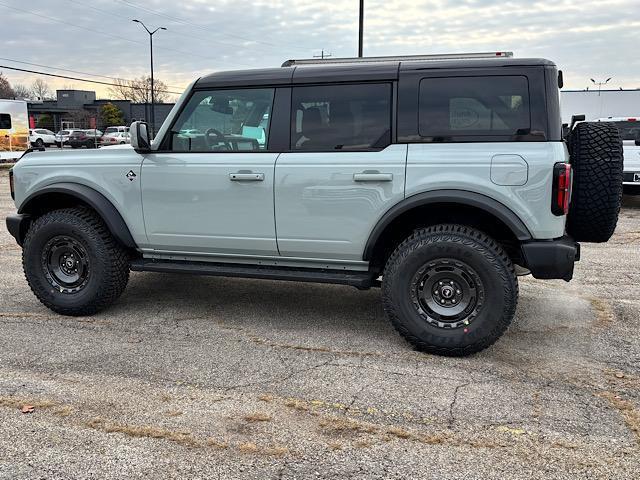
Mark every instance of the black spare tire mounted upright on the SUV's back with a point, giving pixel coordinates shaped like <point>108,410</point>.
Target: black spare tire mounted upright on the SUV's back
<point>597,161</point>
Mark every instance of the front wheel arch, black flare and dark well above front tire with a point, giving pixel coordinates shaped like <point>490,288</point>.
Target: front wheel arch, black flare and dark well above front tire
<point>60,195</point>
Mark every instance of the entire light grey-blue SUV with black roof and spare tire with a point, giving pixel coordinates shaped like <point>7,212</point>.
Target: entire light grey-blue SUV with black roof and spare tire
<point>437,179</point>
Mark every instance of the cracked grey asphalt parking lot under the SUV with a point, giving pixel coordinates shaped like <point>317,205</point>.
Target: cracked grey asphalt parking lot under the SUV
<point>205,377</point>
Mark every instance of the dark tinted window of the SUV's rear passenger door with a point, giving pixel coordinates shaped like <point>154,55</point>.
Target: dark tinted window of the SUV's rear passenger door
<point>341,117</point>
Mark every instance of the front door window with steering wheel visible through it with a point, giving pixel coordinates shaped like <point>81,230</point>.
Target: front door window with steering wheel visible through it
<point>224,120</point>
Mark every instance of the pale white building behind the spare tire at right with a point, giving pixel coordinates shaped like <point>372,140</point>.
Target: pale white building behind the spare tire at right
<point>599,104</point>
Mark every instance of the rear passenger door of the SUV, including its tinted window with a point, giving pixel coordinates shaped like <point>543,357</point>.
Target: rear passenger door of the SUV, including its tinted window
<point>341,173</point>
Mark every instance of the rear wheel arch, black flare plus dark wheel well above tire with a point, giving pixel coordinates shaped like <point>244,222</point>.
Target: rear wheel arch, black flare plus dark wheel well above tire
<point>444,206</point>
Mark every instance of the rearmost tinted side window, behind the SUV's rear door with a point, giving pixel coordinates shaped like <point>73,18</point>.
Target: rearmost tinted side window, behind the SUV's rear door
<point>474,106</point>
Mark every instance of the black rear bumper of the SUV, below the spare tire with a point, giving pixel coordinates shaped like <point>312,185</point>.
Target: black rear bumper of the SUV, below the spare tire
<point>547,259</point>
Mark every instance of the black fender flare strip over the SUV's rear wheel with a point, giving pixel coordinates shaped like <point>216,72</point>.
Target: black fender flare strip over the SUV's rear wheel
<point>460,197</point>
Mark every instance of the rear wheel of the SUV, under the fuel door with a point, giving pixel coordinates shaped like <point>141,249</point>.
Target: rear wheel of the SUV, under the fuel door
<point>450,290</point>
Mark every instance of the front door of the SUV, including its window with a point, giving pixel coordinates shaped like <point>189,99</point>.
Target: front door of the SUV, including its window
<point>209,190</point>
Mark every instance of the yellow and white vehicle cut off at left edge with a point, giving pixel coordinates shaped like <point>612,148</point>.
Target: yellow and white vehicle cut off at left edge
<point>14,129</point>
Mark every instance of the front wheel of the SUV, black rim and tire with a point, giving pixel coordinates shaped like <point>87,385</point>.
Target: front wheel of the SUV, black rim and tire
<point>72,263</point>
